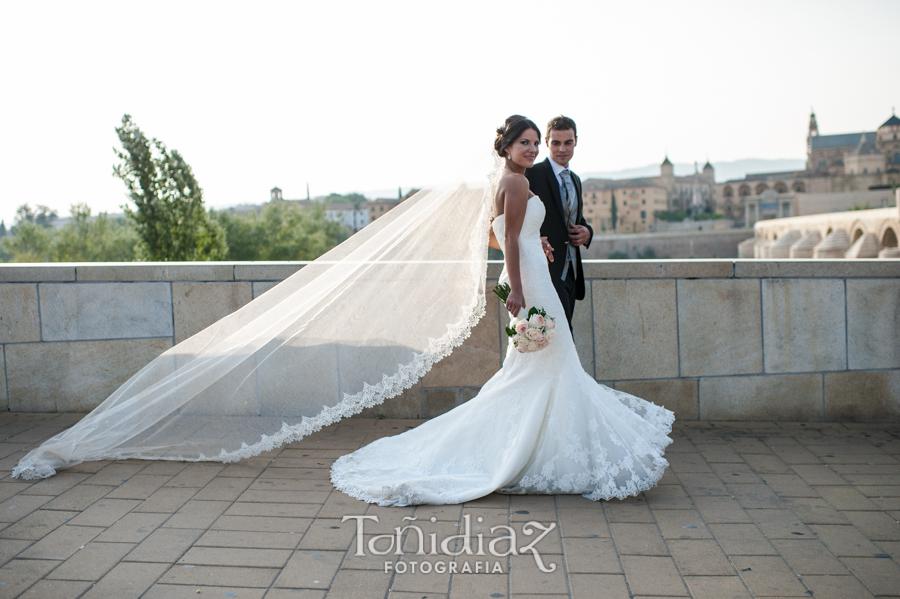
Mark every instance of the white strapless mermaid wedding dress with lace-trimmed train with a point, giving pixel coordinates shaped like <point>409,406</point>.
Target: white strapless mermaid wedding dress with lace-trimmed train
<point>541,424</point>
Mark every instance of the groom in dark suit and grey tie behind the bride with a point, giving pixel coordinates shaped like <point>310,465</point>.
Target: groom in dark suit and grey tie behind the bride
<point>564,225</point>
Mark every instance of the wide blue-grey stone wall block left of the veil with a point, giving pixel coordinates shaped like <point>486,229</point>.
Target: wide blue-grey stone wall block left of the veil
<point>82,312</point>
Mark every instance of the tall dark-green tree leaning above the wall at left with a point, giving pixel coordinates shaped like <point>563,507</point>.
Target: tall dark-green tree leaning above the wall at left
<point>171,220</point>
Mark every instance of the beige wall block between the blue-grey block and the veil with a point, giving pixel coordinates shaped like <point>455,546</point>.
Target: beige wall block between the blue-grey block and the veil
<point>198,305</point>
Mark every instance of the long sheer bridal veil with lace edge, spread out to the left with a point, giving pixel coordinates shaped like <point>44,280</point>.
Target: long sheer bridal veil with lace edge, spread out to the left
<point>359,325</point>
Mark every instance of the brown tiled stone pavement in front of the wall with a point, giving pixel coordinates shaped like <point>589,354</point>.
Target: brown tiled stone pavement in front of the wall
<point>746,510</point>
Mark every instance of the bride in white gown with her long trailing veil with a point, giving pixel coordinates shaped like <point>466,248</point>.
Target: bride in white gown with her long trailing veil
<point>368,320</point>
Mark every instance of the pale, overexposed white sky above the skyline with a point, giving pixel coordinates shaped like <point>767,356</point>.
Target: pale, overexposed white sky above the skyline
<point>362,96</point>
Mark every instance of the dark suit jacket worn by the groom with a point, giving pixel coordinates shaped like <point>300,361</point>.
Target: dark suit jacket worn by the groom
<point>544,183</point>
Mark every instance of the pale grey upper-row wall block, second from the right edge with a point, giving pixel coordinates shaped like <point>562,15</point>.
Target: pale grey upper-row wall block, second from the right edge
<point>803,325</point>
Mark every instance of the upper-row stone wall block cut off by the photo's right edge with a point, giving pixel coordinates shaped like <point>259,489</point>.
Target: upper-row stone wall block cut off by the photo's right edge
<point>873,323</point>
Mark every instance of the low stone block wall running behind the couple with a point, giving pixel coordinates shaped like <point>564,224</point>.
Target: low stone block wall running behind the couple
<point>801,340</point>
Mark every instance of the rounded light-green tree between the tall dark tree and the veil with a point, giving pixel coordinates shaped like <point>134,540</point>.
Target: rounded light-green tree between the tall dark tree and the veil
<point>281,231</point>
